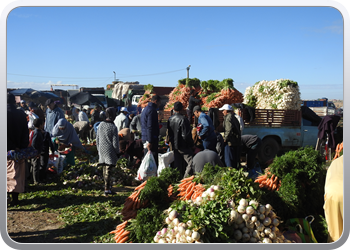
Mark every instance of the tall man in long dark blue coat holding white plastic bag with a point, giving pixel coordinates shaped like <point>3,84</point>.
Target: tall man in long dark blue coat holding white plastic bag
<point>150,126</point>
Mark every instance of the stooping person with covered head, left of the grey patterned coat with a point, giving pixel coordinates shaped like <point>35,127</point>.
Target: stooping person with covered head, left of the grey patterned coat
<point>65,136</point>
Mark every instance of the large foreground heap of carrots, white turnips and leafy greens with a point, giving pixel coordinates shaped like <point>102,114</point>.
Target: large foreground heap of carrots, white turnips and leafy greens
<point>218,205</point>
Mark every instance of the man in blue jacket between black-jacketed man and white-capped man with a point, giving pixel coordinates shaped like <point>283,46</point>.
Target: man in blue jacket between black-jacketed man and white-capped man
<point>206,129</point>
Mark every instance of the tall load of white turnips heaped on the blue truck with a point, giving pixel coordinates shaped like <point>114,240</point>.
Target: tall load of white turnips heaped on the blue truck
<point>278,94</point>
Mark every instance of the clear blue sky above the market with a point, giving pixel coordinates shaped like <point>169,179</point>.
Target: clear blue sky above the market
<point>154,45</point>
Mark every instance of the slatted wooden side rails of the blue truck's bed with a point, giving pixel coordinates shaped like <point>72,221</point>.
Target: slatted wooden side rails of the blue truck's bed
<point>273,118</point>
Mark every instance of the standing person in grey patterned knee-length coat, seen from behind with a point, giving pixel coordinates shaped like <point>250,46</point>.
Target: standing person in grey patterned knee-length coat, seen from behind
<point>107,143</point>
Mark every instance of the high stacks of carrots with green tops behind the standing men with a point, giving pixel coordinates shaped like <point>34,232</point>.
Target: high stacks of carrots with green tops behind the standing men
<point>213,93</point>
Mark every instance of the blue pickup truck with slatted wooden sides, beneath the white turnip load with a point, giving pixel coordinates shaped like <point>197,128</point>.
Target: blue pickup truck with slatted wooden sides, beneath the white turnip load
<point>280,129</point>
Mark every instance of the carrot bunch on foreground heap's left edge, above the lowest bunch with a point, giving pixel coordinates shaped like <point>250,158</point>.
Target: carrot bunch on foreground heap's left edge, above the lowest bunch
<point>133,203</point>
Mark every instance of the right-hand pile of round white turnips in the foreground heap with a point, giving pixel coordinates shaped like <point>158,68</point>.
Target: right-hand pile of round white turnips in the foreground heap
<point>255,223</point>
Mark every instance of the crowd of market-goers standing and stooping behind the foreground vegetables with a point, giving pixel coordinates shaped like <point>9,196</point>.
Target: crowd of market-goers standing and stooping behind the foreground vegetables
<point>194,139</point>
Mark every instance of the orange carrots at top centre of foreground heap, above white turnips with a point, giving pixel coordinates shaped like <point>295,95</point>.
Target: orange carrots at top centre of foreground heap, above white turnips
<point>189,190</point>
